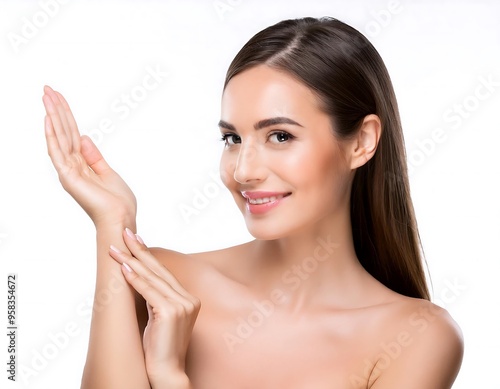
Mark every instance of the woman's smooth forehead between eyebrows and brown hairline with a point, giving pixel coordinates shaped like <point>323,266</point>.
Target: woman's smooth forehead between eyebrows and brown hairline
<point>262,92</point>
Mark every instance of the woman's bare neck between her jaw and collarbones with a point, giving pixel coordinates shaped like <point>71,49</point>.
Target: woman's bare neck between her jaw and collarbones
<point>311,266</point>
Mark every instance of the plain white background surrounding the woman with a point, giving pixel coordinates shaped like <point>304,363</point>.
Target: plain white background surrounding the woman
<point>167,149</point>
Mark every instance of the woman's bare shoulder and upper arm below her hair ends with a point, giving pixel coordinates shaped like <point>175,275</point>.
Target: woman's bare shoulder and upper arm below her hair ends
<point>429,346</point>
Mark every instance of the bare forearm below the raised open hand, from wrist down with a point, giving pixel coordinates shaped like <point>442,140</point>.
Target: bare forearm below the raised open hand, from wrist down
<point>115,357</point>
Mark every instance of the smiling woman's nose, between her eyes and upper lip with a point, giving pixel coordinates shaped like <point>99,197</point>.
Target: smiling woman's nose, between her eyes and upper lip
<point>249,165</point>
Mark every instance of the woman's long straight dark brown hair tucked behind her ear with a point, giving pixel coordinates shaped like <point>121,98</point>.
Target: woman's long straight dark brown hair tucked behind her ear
<point>348,75</point>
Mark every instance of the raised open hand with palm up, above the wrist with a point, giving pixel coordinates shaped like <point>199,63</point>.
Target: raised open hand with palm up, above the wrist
<point>82,170</point>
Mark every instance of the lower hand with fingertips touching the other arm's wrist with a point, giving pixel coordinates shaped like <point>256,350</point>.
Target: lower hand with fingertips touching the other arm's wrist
<point>172,312</point>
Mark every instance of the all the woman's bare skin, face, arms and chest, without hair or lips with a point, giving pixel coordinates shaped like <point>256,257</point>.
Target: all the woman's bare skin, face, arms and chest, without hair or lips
<point>293,308</point>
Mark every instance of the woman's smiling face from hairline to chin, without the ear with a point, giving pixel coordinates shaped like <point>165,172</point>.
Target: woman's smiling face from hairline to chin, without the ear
<point>281,161</point>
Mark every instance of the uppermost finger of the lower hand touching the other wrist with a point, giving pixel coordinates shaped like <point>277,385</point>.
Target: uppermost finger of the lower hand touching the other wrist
<point>140,252</point>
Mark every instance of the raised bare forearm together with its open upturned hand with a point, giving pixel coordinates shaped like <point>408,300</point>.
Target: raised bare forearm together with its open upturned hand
<point>115,356</point>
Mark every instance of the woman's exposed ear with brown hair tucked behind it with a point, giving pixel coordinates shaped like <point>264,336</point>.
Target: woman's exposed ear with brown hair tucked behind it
<point>366,141</point>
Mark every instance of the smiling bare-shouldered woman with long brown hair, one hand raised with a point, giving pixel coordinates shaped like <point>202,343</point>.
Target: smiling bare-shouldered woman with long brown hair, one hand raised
<point>330,294</point>
